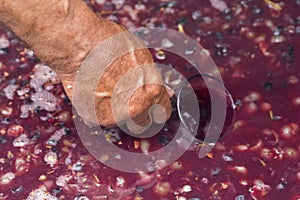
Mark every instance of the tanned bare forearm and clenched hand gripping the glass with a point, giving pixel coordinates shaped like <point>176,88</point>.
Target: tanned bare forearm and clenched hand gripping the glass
<point>67,36</point>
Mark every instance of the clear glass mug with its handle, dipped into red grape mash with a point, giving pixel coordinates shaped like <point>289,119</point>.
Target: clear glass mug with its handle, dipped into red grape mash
<point>193,107</point>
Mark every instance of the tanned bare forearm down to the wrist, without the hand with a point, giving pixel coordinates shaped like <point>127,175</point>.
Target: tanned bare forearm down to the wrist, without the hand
<point>60,32</point>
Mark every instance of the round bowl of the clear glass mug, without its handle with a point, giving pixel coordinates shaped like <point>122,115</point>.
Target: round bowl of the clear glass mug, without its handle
<point>204,94</point>
